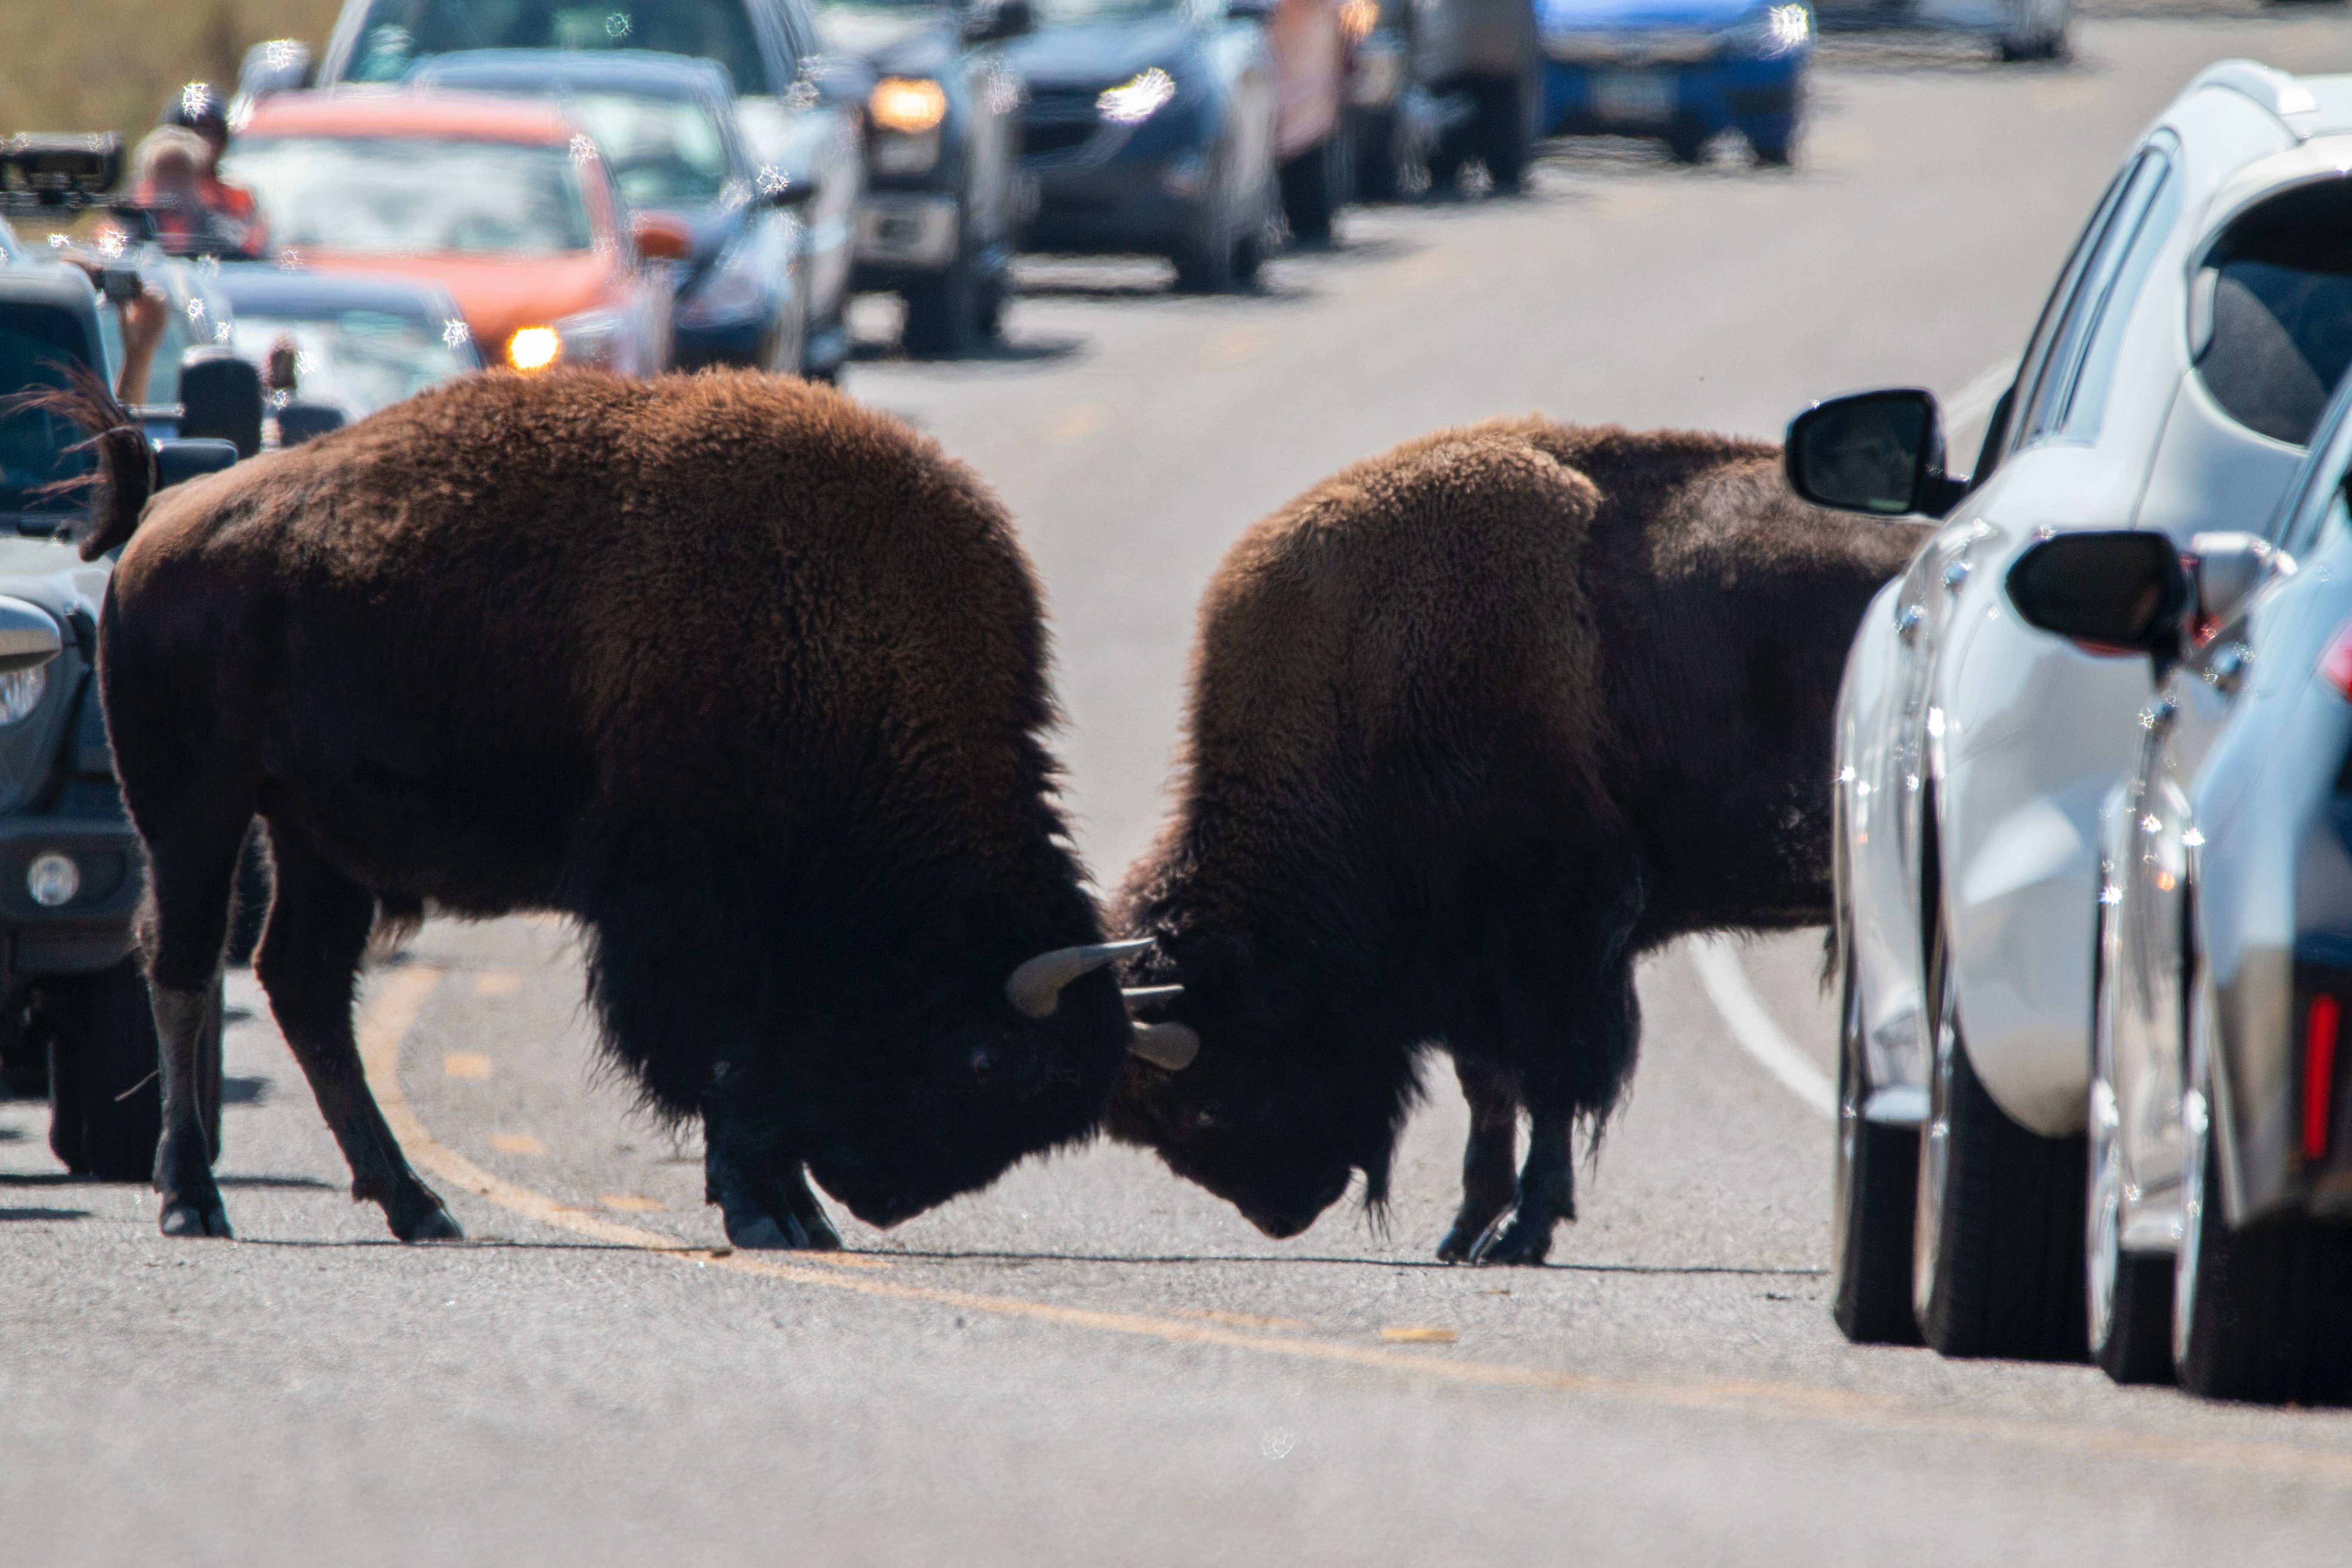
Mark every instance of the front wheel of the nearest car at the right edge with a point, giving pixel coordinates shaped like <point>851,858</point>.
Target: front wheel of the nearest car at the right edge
<point>2127,1296</point>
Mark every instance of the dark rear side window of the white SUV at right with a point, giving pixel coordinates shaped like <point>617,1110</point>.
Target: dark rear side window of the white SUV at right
<point>2278,297</point>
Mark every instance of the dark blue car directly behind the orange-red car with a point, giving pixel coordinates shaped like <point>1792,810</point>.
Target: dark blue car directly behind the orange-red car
<point>669,135</point>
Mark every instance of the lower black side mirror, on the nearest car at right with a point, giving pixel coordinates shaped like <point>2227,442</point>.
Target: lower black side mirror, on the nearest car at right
<point>2111,591</point>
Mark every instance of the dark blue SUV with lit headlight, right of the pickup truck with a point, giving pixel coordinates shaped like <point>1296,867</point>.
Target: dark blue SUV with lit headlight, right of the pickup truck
<point>1151,130</point>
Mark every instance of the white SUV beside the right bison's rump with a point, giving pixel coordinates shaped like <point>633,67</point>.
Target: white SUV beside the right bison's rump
<point>2170,384</point>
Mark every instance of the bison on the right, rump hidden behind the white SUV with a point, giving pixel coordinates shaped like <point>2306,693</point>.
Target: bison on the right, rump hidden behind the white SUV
<point>1471,728</point>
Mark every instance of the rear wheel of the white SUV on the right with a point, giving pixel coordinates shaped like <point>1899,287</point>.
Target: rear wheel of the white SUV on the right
<point>1998,1231</point>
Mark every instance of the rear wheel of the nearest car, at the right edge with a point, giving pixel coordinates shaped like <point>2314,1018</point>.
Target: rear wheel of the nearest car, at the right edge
<point>2259,1313</point>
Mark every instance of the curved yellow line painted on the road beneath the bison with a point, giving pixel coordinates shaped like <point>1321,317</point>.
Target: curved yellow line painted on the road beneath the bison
<point>401,996</point>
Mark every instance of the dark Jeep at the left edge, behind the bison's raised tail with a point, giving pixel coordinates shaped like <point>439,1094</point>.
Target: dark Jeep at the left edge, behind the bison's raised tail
<point>74,1007</point>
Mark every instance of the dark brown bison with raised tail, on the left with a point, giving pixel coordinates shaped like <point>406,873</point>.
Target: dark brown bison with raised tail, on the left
<point>740,676</point>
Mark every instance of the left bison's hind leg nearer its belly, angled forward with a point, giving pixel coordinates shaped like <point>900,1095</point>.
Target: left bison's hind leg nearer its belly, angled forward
<point>309,958</point>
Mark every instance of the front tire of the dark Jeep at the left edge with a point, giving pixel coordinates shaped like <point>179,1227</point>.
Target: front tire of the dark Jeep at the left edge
<point>107,1073</point>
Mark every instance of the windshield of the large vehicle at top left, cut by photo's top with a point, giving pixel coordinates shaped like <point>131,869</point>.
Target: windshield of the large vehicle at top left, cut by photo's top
<point>401,32</point>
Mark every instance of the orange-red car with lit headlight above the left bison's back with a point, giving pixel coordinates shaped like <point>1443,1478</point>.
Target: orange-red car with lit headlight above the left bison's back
<point>500,201</point>
